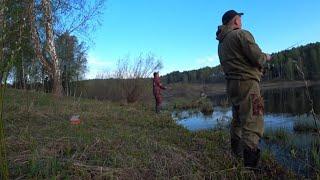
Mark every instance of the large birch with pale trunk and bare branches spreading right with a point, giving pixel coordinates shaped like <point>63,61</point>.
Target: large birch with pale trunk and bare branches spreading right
<point>66,16</point>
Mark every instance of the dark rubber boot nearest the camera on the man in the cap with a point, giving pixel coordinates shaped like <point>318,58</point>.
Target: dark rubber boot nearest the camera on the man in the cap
<point>251,157</point>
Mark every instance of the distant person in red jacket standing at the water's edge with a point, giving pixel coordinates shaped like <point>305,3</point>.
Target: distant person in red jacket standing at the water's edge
<point>157,87</point>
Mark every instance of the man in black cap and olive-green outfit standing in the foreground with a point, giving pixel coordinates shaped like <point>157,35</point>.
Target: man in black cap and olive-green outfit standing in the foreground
<point>242,61</point>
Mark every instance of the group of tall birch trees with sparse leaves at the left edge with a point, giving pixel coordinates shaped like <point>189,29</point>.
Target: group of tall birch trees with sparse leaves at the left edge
<point>40,46</point>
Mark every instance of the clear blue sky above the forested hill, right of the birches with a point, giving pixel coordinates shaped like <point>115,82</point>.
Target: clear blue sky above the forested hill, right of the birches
<point>182,32</point>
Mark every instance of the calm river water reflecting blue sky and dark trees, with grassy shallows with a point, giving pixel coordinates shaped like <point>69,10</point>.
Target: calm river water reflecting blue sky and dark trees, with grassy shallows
<point>283,107</point>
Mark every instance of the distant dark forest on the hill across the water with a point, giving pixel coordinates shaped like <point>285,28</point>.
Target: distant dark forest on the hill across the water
<point>286,65</point>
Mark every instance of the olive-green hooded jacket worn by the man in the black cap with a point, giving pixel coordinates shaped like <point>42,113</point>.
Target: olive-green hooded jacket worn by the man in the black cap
<point>240,56</point>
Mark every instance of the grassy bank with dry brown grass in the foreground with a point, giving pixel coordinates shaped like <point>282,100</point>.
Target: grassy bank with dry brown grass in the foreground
<point>113,140</point>
